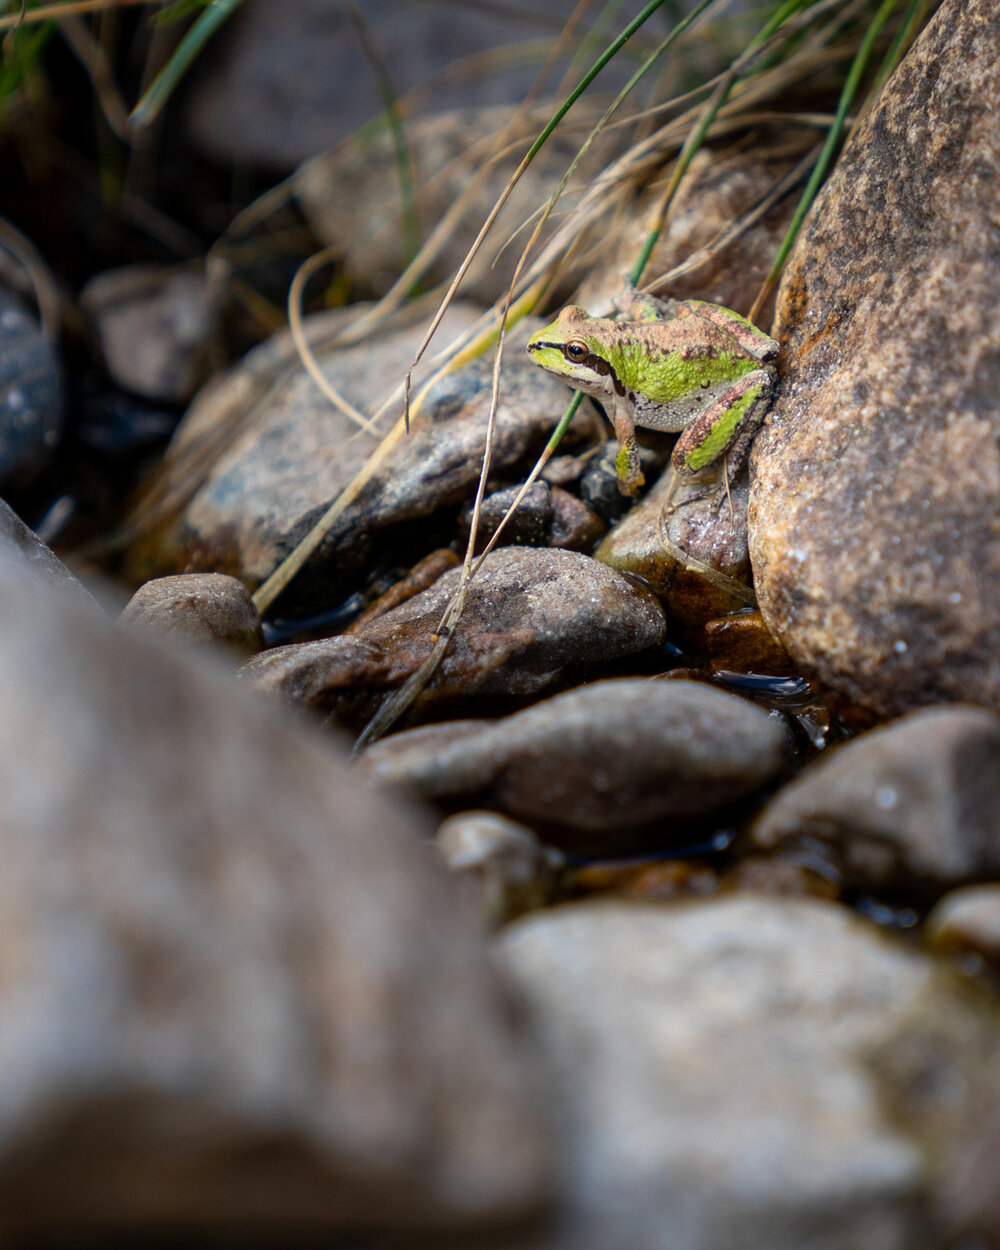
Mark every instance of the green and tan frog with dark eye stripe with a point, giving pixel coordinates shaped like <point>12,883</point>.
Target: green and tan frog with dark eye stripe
<point>677,366</point>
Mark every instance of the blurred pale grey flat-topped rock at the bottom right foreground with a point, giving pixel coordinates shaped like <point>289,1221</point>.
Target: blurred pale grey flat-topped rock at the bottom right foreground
<point>739,1073</point>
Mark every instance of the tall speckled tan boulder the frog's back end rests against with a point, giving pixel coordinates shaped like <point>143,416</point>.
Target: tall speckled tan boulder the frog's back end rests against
<point>873,517</point>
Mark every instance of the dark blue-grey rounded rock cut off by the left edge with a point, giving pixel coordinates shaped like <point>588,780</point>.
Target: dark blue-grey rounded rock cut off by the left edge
<point>31,396</point>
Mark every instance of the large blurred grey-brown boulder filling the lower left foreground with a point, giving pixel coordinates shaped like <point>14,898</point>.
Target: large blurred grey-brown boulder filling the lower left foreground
<point>239,994</point>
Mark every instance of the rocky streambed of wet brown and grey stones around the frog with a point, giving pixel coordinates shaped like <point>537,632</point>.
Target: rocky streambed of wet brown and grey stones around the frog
<point>662,919</point>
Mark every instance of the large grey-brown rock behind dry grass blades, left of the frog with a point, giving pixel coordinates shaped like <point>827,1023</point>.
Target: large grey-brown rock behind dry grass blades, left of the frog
<point>281,454</point>
